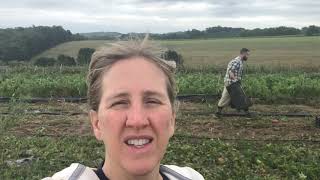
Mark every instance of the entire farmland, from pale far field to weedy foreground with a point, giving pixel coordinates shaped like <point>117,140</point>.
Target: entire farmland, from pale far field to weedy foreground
<point>282,78</point>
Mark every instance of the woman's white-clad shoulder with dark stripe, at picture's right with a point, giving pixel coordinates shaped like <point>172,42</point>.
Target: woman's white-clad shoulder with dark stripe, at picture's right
<point>180,173</point>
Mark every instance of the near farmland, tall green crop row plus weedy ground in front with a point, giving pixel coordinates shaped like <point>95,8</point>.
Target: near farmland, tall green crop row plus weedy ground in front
<point>283,147</point>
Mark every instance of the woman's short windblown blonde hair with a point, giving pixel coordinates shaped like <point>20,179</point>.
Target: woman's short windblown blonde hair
<point>103,59</point>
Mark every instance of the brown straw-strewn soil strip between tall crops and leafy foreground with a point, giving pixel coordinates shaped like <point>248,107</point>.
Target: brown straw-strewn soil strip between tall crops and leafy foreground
<point>249,128</point>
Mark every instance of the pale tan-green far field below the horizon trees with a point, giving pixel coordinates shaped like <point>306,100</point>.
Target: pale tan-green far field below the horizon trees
<point>275,51</point>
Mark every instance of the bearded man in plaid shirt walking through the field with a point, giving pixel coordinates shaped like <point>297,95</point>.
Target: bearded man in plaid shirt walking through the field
<point>232,91</point>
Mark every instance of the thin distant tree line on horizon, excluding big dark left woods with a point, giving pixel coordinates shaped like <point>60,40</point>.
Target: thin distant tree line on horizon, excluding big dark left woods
<point>216,32</point>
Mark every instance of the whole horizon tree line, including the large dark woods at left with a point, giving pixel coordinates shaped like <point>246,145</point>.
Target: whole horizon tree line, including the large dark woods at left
<point>22,43</point>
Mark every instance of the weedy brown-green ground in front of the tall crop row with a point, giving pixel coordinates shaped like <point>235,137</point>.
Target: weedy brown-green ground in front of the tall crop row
<point>254,148</point>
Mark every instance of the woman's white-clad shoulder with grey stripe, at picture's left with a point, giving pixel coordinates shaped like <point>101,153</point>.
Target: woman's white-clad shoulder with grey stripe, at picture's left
<point>73,172</point>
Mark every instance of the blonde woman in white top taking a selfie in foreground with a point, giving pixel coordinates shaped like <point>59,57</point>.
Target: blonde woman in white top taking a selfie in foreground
<point>131,93</point>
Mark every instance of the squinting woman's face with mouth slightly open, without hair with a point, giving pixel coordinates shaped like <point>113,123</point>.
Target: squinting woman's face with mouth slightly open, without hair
<point>135,118</point>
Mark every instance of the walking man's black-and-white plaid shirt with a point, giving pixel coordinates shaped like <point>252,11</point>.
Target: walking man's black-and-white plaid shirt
<point>235,66</point>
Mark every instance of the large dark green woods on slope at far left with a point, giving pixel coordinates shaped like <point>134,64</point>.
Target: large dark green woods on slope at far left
<point>22,43</point>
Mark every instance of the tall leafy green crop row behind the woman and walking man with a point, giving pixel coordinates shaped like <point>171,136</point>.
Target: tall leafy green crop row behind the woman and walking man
<point>265,86</point>
